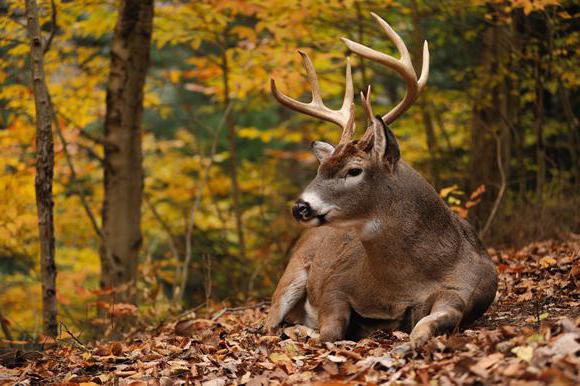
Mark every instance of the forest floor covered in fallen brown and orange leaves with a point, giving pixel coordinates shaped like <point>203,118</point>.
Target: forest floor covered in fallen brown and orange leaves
<point>529,336</point>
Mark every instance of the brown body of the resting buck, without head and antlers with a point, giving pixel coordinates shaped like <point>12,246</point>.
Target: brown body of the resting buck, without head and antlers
<point>391,273</point>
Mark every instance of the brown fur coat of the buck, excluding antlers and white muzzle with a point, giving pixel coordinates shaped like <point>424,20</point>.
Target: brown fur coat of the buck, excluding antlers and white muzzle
<point>422,269</point>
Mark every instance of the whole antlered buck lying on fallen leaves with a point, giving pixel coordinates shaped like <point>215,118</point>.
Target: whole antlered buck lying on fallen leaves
<point>383,249</point>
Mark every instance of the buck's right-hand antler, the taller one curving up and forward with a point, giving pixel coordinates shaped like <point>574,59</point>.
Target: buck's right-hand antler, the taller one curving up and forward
<point>403,66</point>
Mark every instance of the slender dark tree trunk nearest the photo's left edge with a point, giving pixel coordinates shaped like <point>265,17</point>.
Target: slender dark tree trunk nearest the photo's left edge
<point>44,172</point>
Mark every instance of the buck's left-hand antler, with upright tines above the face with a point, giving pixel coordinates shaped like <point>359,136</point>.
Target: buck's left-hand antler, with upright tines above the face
<point>344,117</point>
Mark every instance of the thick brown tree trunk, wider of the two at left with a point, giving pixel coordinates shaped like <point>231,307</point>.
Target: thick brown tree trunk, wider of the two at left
<point>123,179</point>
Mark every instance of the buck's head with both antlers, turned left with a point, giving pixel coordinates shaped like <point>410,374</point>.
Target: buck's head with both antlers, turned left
<point>355,177</point>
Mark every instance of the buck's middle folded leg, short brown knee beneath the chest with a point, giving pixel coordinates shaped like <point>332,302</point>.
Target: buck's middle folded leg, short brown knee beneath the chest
<point>333,317</point>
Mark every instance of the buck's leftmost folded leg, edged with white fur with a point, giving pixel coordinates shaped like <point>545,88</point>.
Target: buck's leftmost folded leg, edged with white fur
<point>290,290</point>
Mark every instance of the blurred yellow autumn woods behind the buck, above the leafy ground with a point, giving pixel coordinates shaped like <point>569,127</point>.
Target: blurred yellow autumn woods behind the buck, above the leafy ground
<point>496,133</point>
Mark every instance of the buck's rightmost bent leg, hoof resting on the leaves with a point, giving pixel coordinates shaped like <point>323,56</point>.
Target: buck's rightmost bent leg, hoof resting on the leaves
<point>445,315</point>
